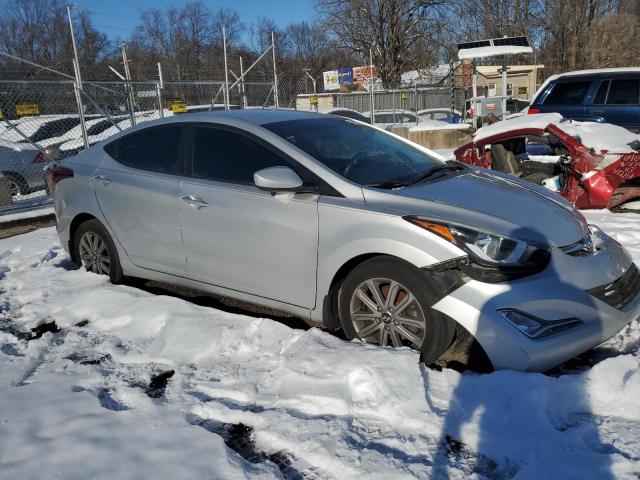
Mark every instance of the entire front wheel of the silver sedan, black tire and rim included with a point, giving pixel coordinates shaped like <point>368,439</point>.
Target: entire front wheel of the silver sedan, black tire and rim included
<point>405,319</point>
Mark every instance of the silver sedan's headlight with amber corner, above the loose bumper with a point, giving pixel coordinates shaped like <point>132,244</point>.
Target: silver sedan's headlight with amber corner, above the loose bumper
<point>492,258</point>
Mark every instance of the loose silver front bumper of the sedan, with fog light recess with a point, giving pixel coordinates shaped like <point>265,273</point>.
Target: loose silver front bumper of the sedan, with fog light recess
<point>592,297</point>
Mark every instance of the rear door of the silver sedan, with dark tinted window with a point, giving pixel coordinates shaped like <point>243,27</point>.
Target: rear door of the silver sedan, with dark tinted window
<point>137,187</point>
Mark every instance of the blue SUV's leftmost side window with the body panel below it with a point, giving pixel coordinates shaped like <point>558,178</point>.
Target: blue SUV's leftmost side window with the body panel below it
<point>567,97</point>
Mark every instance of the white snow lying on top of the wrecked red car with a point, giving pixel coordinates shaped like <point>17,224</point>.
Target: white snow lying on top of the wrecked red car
<point>602,137</point>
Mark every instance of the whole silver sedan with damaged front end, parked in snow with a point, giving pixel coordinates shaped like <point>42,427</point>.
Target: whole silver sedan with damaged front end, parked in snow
<point>347,226</point>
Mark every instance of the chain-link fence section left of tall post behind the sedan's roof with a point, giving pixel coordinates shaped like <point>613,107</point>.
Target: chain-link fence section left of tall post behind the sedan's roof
<point>41,123</point>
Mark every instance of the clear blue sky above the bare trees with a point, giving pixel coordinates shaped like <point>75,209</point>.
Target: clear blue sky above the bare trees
<point>119,18</point>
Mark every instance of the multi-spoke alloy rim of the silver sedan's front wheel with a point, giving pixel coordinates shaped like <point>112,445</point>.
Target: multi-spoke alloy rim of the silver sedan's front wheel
<point>385,312</point>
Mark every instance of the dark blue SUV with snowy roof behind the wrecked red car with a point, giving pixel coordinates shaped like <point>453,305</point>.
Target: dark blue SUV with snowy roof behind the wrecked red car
<point>609,95</point>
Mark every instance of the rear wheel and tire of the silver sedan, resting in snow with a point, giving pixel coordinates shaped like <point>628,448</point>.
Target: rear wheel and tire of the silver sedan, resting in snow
<point>95,251</point>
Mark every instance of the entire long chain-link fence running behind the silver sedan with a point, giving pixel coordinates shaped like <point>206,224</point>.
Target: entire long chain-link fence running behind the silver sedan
<point>41,122</point>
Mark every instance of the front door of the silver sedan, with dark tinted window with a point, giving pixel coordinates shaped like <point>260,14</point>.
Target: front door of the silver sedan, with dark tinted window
<point>238,236</point>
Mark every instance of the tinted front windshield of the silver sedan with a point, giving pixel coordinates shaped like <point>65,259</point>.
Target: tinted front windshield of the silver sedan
<point>360,153</point>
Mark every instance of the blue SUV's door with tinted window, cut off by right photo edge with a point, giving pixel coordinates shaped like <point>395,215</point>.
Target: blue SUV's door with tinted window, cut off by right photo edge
<point>617,101</point>
